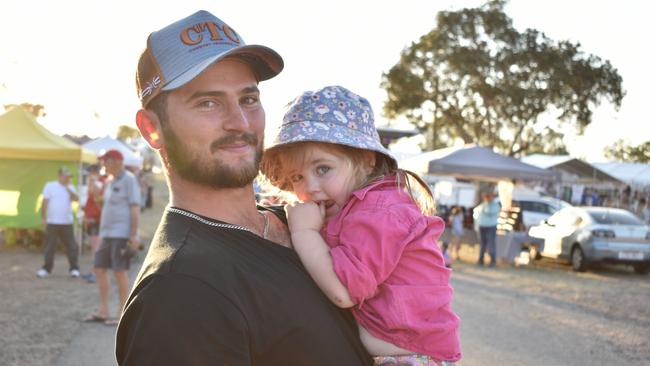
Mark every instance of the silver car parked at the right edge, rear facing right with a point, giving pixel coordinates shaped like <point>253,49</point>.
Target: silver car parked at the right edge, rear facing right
<point>585,235</point>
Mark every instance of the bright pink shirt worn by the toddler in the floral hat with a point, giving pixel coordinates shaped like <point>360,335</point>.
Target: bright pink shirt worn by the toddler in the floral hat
<point>385,252</point>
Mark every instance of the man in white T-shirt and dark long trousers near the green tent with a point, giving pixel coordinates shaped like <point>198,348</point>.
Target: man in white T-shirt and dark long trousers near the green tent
<point>56,217</point>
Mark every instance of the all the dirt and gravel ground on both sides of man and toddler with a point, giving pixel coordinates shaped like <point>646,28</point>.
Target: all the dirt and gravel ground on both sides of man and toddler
<point>599,317</point>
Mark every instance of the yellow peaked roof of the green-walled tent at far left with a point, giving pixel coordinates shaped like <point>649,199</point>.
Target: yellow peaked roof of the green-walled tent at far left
<point>22,137</point>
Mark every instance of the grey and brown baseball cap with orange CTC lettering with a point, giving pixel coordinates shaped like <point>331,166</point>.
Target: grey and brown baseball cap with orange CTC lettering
<point>179,52</point>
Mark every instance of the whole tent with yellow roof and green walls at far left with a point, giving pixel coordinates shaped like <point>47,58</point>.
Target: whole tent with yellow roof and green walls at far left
<point>30,156</point>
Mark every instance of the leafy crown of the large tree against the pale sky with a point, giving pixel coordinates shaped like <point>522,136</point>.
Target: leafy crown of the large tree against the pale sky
<point>477,78</point>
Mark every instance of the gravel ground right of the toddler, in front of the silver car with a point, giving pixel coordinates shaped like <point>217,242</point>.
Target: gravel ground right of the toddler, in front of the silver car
<point>544,314</point>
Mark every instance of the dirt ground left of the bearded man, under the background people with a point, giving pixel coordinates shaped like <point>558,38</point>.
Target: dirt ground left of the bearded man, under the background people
<point>39,317</point>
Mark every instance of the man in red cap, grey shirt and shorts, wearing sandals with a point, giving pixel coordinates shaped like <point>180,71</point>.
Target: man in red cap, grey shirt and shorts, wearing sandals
<point>118,230</point>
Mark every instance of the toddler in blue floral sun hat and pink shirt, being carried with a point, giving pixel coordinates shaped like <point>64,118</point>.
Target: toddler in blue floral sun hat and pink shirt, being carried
<point>378,253</point>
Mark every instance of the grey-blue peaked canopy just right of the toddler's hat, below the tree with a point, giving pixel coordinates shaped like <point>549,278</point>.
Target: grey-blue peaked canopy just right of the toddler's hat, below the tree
<point>475,162</point>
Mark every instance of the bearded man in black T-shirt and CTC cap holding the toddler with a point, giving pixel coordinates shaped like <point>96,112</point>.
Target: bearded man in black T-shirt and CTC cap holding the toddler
<point>220,284</point>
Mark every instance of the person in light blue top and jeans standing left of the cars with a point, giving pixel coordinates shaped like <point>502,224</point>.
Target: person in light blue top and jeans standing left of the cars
<point>487,217</point>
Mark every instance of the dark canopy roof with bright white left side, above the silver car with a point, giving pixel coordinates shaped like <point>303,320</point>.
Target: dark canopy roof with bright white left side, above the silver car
<point>583,171</point>
